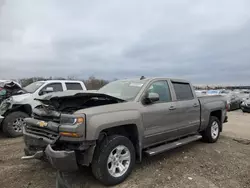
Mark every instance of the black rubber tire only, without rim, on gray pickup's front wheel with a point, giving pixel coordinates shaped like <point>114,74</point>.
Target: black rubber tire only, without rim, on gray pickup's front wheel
<point>101,155</point>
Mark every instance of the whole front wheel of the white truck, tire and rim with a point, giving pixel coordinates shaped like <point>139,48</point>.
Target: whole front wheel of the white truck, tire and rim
<point>13,124</point>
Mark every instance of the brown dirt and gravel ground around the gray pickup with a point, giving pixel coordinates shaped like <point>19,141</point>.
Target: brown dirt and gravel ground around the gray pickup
<point>197,165</point>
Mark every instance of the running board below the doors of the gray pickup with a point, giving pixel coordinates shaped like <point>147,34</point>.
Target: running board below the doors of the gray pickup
<point>172,145</point>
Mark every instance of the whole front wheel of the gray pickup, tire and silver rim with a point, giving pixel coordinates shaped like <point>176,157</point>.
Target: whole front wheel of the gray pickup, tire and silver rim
<point>113,160</point>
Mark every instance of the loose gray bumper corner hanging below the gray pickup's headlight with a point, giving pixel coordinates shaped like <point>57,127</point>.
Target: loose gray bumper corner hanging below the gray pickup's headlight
<point>64,161</point>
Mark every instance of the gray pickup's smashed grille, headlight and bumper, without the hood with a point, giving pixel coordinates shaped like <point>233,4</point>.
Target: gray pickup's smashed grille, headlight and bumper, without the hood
<point>58,138</point>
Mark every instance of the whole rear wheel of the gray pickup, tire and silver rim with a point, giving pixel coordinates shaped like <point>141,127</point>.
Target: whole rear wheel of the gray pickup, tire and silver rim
<point>212,132</point>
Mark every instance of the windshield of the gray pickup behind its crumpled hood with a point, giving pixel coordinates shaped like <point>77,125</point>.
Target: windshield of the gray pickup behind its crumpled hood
<point>126,90</point>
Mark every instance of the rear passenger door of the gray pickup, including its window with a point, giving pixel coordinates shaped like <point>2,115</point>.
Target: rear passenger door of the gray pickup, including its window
<point>189,108</point>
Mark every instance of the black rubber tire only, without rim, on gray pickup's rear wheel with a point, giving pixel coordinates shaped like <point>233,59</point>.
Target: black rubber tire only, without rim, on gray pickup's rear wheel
<point>207,134</point>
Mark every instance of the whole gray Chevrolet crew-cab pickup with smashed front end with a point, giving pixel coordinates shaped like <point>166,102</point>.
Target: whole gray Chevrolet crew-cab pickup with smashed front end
<point>112,128</point>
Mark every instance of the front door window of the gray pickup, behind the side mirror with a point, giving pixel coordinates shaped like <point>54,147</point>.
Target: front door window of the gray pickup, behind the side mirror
<point>162,89</point>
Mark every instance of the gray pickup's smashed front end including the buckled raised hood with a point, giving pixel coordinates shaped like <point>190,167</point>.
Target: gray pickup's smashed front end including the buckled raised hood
<point>55,132</point>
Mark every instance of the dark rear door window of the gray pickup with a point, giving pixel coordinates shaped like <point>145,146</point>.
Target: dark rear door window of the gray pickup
<point>183,91</point>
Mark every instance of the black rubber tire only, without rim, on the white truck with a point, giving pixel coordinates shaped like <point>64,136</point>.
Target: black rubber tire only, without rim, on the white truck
<point>8,121</point>
